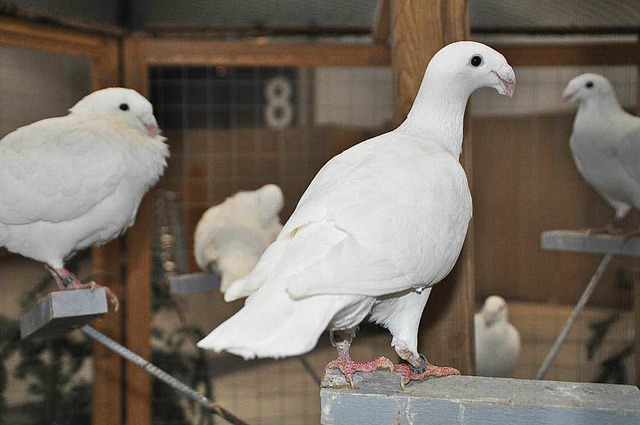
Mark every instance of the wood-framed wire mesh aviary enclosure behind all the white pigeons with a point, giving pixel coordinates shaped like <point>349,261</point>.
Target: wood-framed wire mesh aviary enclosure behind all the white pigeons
<point>243,106</point>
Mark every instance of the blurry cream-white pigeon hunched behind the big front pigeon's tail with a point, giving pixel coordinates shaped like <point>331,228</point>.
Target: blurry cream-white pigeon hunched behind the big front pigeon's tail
<point>230,237</point>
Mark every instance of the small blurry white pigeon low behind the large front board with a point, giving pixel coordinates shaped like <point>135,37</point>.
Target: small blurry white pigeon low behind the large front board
<point>497,340</point>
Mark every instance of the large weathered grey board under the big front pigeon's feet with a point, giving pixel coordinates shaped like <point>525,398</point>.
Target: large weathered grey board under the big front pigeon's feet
<point>470,400</point>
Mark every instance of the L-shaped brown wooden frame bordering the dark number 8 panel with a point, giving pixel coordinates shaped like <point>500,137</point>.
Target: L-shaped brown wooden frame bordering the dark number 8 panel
<point>140,53</point>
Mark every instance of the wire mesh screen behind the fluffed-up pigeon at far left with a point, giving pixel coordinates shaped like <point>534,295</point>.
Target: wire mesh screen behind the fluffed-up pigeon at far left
<point>41,381</point>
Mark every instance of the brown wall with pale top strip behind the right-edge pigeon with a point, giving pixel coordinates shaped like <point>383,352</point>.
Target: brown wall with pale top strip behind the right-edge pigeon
<point>525,182</point>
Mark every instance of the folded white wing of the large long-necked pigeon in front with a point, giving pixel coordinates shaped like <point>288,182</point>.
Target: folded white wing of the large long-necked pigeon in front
<point>410,238</point>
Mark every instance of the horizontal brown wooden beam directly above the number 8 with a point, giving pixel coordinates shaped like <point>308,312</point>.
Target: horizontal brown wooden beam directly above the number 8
<point>185,52</point>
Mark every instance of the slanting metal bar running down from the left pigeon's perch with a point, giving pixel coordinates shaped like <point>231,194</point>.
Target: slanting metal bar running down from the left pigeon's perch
<point>160,374</point>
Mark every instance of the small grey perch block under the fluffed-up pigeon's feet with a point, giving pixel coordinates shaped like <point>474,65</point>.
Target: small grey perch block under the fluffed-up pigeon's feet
<point>61,312</point>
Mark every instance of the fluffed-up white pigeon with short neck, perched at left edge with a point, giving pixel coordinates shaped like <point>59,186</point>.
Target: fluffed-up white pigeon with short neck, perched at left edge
<point>71,182</point>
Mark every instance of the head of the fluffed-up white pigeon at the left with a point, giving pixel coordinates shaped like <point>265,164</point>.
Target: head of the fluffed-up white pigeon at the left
<point>127,104</point>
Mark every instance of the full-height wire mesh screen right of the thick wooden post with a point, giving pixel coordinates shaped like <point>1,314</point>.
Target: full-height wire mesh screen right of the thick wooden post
<point>525,182</point>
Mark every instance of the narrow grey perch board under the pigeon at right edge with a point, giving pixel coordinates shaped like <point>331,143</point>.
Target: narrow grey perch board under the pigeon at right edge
<point>581,241</point>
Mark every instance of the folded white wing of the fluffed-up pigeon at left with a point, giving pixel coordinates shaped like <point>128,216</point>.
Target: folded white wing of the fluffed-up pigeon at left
<point>57,169</point>
